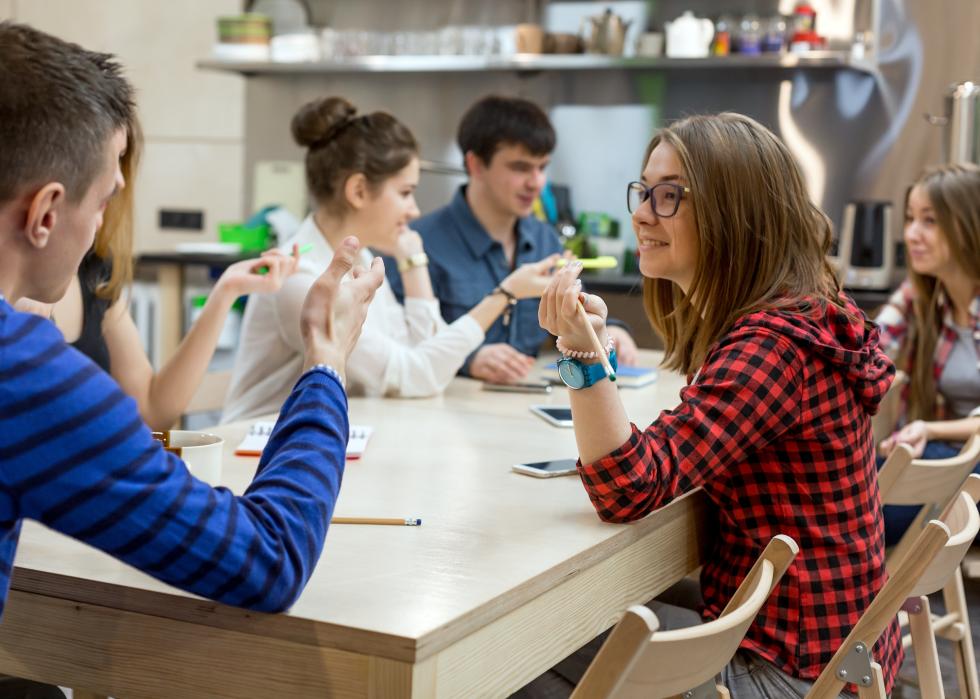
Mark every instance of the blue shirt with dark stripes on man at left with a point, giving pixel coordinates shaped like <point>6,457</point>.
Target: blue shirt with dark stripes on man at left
<point>76,456</point>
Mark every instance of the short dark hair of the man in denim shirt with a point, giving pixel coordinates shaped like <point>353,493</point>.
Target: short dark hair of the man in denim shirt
<point>495,121</point>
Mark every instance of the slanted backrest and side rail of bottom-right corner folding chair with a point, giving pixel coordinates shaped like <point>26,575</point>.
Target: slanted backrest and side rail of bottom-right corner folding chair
<point>938,550</point>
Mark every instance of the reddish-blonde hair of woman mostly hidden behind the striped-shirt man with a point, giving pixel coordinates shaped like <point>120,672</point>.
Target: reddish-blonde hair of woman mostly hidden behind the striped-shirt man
<point>114,240</point>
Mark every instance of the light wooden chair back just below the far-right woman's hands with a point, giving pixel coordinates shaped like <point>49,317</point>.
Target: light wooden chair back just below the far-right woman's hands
<point>932,483</point>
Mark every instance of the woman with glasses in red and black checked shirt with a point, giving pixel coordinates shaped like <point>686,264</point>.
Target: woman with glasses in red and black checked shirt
<point>784,375</point>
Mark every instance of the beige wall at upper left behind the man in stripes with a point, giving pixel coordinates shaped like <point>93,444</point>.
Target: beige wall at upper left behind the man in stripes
<point>193,120</point>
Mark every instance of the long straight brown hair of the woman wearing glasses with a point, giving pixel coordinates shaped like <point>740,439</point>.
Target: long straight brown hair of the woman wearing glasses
<point>763,243</point>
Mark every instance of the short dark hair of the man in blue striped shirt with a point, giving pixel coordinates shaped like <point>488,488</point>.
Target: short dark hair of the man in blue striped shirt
<point>59,104</point>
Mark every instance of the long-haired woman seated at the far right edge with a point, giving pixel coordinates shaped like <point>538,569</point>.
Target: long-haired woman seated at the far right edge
<point>931,324</point>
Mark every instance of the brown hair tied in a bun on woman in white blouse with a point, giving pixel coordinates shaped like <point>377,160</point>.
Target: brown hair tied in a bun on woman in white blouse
<point>340,143</point>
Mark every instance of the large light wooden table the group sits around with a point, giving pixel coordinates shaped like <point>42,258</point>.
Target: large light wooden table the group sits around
<point>507,574</point>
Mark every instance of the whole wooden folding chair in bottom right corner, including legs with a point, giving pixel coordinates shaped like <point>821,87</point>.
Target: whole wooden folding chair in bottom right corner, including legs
<point>935,555</point>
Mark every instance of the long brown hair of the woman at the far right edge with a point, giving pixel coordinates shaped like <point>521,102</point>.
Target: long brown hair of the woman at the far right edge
<point>954,194</point>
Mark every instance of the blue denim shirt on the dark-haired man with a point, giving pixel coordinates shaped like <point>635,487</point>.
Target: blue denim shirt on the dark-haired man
<point>465,264</point>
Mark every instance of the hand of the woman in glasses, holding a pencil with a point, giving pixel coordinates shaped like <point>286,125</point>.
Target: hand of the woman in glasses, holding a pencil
<point>558,311</point>
